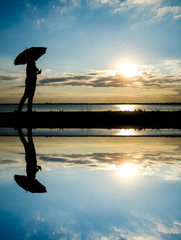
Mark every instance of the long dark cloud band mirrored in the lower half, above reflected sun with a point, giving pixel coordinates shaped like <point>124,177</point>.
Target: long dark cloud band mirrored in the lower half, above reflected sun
<point>102,160</point>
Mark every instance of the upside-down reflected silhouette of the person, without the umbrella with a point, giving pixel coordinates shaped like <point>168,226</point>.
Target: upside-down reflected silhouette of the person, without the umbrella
<point>30,155</point>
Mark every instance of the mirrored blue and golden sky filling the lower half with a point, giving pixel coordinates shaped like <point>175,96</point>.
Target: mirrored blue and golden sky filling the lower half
<point>88,196</point>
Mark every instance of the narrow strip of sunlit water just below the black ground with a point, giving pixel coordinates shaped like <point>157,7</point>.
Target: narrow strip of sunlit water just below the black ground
<point>75,132</point>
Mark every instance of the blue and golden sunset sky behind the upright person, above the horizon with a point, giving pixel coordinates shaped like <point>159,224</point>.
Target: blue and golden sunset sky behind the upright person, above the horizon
<point>108,51</point>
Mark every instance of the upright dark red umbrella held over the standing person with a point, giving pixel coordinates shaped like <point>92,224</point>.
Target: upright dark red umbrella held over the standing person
<point>33,52</point>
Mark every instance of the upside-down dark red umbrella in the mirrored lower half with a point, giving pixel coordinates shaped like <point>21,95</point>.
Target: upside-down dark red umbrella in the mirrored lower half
<point>31,186</point>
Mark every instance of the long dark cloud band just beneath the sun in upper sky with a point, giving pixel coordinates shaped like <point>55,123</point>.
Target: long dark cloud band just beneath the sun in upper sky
<point>103,79</point>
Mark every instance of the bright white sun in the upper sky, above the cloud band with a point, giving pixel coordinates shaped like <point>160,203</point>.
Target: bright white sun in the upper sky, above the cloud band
<point>128,69</point>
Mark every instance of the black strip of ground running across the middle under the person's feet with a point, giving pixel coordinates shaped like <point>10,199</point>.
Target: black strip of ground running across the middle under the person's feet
<point>137,119</point>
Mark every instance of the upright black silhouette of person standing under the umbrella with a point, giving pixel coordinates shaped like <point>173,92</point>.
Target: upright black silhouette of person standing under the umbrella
<point>30,84</point>
